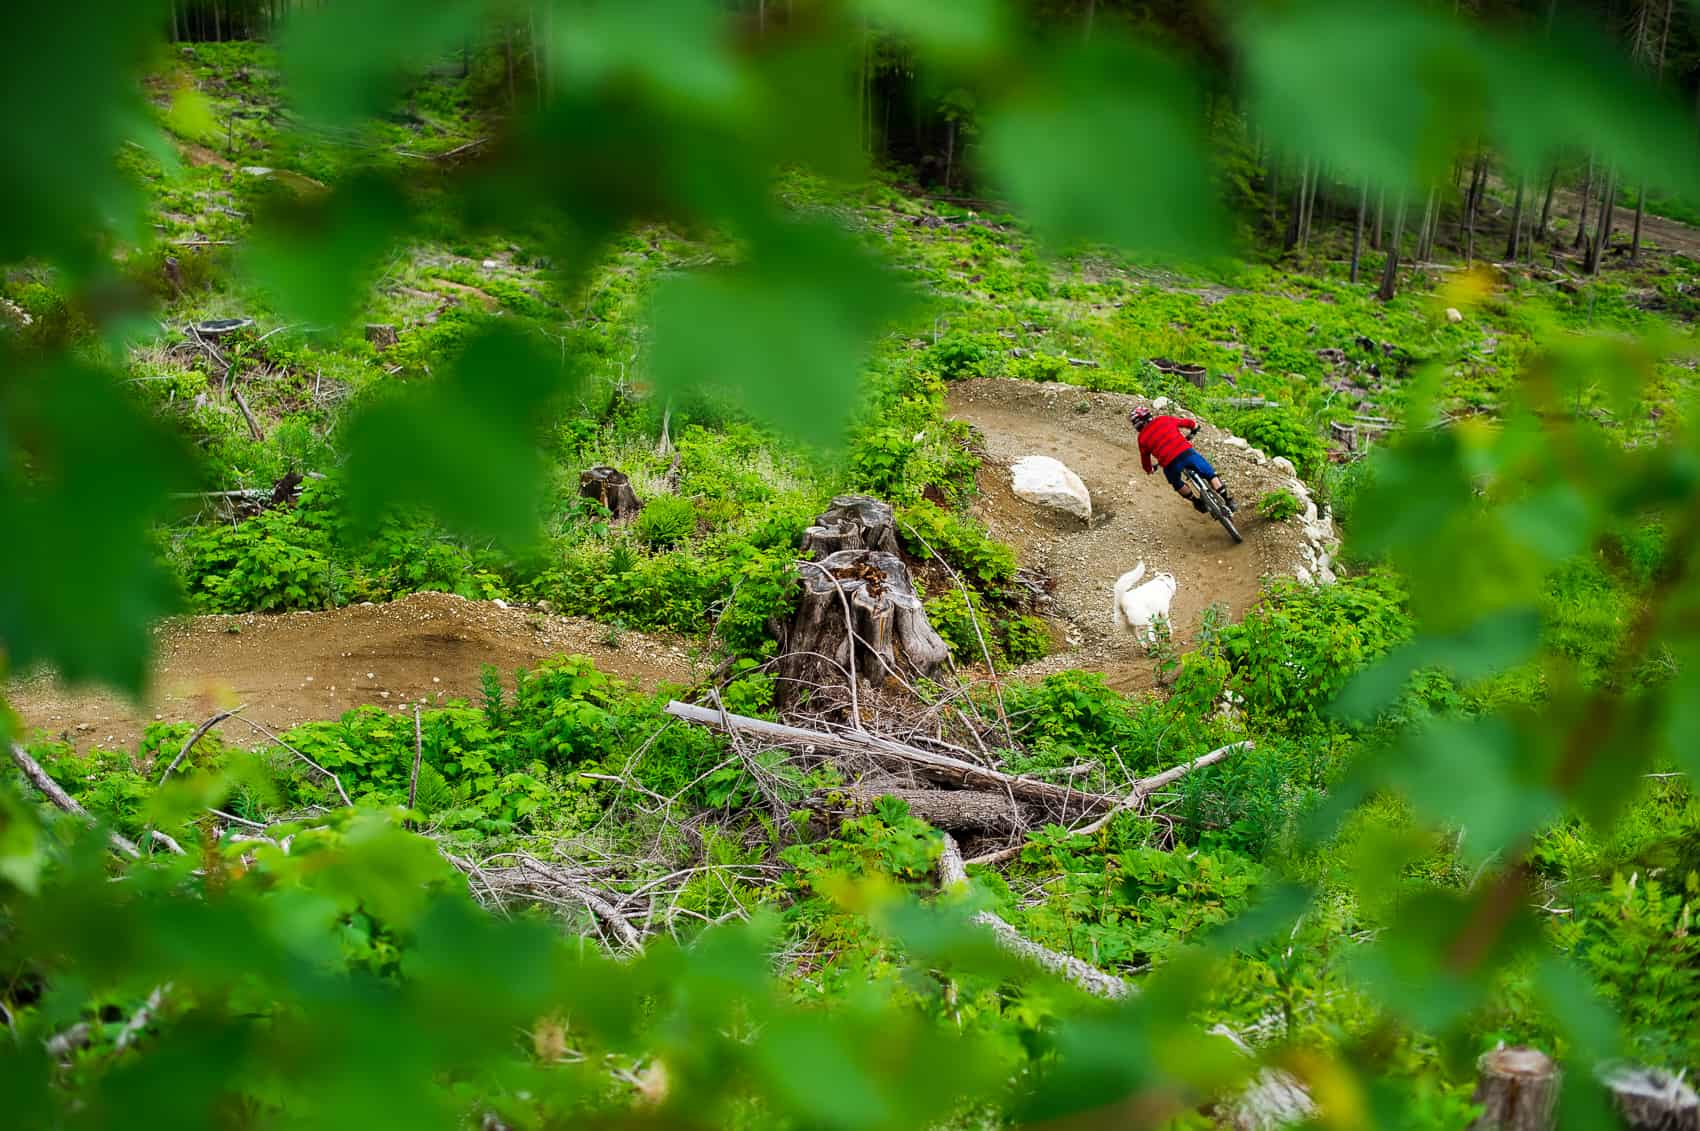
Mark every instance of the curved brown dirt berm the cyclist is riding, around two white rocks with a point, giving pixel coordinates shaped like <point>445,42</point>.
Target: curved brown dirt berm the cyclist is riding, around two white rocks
<point>1136,518</point>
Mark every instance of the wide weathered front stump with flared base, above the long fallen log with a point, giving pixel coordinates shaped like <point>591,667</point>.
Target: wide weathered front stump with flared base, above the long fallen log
<point>858,618</point>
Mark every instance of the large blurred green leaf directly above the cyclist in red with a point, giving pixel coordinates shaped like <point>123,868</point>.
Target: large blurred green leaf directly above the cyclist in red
<point>1108,145</point>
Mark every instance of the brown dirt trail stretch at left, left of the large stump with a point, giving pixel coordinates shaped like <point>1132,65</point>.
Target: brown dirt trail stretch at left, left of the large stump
<point>297,668</point>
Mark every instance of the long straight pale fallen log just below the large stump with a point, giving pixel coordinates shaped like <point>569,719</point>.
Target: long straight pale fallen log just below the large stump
<point>936,768</point>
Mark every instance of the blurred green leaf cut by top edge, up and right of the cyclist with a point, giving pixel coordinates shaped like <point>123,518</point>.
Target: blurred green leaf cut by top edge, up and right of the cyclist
<point>1385,94</point>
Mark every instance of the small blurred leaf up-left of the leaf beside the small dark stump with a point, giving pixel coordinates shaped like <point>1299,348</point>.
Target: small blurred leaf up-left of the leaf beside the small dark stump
<point>320,256</point>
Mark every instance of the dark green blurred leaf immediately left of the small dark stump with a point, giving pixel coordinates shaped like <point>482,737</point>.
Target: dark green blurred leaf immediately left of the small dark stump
<point>463,446</point>
